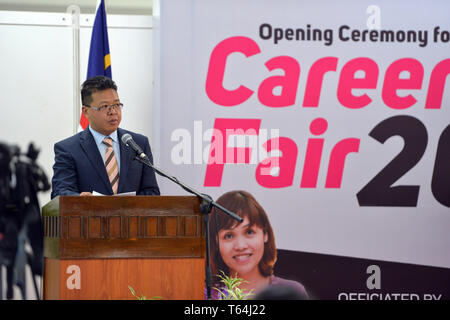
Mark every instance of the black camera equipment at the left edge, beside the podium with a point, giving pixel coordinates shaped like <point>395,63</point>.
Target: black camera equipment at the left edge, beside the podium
<point>21,179</point>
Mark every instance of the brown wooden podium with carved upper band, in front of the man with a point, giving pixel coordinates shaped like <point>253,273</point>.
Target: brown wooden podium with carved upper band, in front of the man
<point>95,247</point>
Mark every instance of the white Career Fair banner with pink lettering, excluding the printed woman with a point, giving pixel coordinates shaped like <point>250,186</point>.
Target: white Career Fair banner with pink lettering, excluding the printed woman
<point>333,115</point>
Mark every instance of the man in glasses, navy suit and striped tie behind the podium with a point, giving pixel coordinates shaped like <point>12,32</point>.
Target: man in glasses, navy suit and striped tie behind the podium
<point>96,159</point>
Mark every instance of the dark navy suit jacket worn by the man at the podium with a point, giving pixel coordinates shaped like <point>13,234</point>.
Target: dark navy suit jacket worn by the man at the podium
<point>79,167</point>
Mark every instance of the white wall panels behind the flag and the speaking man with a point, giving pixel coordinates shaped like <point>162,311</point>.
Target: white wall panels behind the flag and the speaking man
<point>36,77</point>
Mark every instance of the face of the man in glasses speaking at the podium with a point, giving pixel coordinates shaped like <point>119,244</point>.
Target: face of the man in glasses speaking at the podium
<point>104,121</point>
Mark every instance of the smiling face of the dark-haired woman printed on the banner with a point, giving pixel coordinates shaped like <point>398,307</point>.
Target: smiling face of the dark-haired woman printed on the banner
<point>242,247</point>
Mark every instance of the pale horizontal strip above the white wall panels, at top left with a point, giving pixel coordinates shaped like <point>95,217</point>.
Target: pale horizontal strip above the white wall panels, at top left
<point>86,6</point>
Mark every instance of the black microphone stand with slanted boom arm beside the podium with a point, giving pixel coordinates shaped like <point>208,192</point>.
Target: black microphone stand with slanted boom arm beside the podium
<point>205,208</point>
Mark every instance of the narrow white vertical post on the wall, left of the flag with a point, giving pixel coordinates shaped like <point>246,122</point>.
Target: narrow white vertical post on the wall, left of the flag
<point>74,10</point>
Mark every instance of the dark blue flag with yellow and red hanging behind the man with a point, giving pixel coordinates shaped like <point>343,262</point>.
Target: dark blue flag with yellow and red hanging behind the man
<point>99,57</point>
